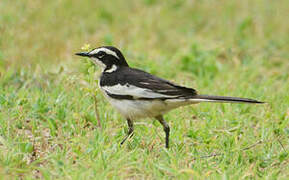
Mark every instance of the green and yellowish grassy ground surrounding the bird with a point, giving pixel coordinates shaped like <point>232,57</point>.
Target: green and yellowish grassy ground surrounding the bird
<point>48,127</point>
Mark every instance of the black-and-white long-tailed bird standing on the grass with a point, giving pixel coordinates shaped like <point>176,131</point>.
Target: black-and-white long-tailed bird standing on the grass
<point>136,94</point>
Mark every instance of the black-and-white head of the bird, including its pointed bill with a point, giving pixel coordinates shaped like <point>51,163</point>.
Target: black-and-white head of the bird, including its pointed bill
<point>108,57</point>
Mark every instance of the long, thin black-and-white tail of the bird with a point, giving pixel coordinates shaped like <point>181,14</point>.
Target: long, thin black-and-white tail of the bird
<point>223,99</point>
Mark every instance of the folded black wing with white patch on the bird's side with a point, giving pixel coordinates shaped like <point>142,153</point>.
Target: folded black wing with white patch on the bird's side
<point>137,84</point>
